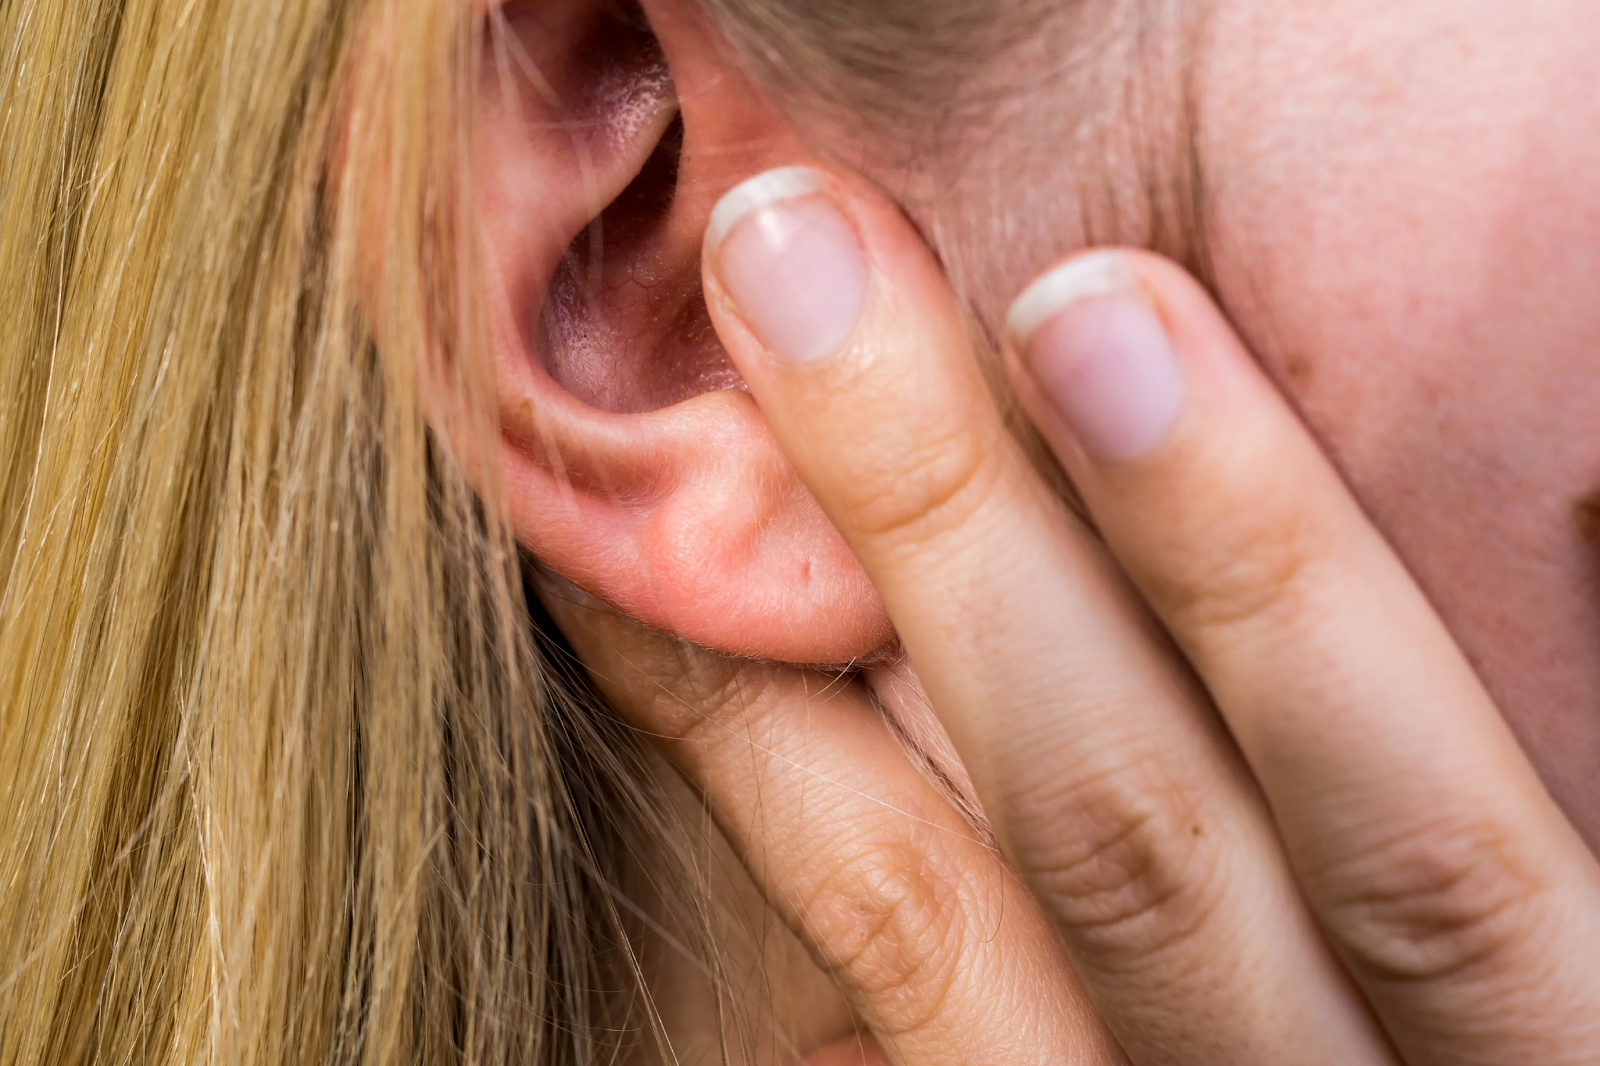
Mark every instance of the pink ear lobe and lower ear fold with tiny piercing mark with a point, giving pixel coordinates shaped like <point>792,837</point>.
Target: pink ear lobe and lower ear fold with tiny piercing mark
<point>690,521</point>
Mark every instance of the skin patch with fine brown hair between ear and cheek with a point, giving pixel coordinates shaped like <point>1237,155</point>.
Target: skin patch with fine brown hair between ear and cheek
<point>983,113</point>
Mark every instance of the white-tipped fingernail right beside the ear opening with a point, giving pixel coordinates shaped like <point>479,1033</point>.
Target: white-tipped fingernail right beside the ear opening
<point>791,263</point>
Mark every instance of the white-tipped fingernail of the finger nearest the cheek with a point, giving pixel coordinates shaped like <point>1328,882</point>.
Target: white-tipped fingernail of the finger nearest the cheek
<point>1102,356</point>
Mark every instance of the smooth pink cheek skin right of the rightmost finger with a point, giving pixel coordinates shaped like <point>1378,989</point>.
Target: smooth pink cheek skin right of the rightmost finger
<point>1409,234</point>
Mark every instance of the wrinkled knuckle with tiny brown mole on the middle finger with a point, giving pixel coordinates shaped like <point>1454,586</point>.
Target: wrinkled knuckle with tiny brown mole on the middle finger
<point>1129,867</point>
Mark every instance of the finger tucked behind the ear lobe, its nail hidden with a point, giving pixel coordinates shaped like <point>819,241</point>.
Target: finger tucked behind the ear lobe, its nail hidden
<point>932,939</point>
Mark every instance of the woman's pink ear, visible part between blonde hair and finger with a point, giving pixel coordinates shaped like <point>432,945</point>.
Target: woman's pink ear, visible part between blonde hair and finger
<point>623,473</point>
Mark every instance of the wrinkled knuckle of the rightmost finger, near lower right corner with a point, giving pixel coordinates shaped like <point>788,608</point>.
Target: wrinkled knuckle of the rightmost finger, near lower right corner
<point>1433,905</point>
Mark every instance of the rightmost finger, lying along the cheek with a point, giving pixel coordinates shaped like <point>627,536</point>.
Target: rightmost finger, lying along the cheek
<point>1455,888</point>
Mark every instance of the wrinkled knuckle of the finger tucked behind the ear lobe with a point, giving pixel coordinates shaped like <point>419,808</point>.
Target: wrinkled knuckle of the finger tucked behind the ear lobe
<point>887,921</point>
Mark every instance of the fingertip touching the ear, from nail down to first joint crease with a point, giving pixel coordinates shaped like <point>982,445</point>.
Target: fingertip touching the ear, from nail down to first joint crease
<point>860,363</point>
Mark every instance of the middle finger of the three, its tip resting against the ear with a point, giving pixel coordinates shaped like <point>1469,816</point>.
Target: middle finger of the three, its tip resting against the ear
<point>1110,782</point>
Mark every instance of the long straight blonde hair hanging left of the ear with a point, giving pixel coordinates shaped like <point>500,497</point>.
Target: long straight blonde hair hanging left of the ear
<point>287,774</point>
